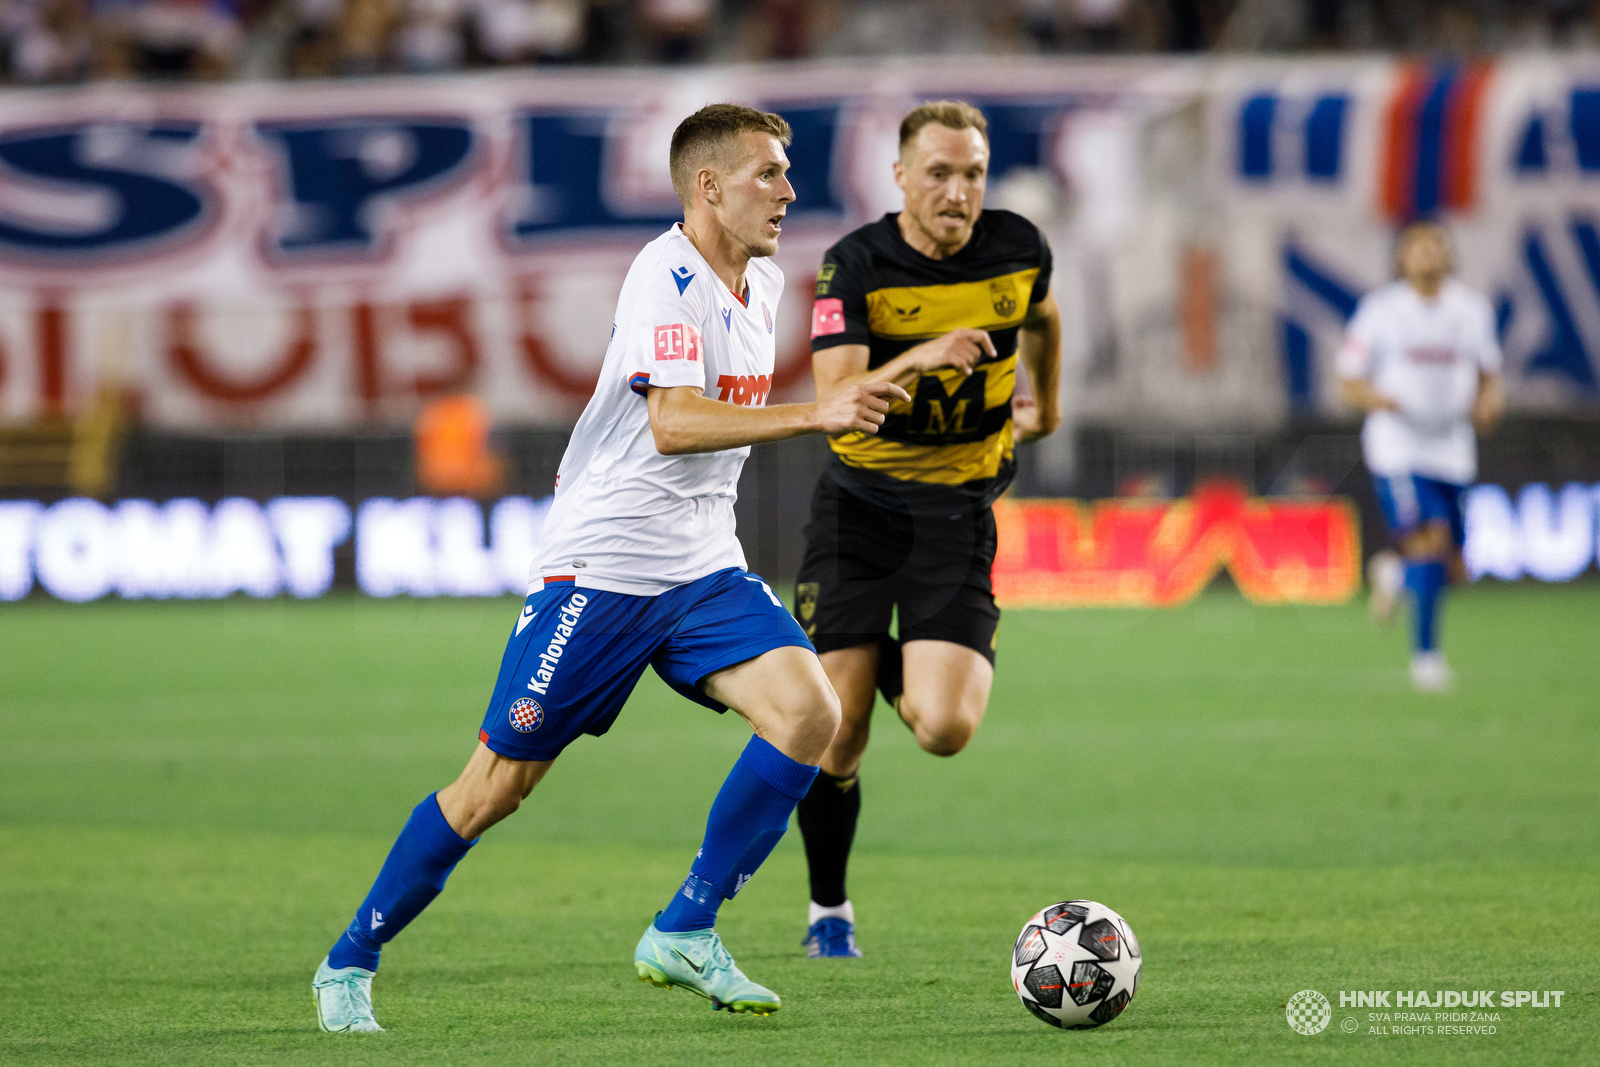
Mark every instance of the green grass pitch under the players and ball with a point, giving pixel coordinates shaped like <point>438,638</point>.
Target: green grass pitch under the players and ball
<point>196,797</point>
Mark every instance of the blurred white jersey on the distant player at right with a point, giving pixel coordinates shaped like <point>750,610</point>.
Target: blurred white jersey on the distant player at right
<point>1426,356</point>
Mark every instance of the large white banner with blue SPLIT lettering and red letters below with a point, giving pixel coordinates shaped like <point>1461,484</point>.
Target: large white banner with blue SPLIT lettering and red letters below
<point>326,257</point>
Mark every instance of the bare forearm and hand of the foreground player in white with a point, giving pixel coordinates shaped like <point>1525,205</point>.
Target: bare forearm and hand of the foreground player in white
<point>686,422</point>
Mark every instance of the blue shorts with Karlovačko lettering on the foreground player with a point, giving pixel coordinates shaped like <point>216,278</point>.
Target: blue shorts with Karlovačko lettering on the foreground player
<point>577,655</point>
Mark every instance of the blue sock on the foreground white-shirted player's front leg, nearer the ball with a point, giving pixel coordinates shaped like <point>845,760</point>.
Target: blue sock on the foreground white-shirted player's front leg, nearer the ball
<point>746,823</point>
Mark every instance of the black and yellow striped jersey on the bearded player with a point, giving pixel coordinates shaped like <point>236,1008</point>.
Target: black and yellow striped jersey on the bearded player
<point>954,439</point>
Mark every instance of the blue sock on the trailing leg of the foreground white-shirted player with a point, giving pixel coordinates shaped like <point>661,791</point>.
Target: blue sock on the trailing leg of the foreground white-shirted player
<point>423,857</point>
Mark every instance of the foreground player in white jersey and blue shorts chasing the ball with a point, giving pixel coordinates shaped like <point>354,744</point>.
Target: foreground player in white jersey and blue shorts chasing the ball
<point>641,567</point>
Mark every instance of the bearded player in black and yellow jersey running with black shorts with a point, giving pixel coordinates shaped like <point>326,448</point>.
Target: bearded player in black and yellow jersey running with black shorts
<point>942,300</point>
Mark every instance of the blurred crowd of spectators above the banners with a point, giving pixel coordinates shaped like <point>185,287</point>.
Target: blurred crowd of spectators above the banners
<point>73,41</point>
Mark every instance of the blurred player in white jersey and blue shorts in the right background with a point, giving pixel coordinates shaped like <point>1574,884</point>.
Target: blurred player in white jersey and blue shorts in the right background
<point>1422,361</point>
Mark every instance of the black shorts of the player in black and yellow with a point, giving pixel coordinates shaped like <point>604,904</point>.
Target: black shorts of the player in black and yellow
<point>863,562</point>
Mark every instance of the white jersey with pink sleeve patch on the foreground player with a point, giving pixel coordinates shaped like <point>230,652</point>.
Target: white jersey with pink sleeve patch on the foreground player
<point>628,519</point>
